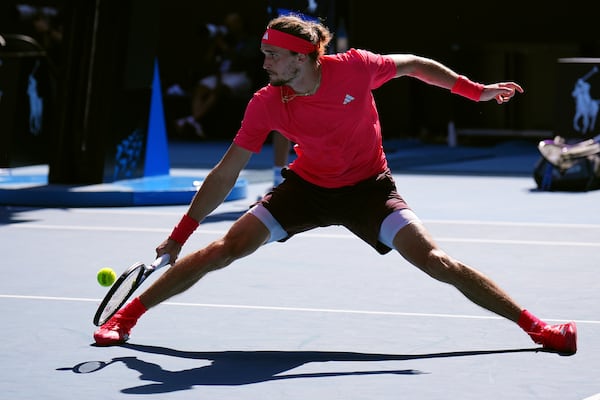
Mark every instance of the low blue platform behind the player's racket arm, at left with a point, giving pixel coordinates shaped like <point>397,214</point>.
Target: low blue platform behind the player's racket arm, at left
<point>29,186</point>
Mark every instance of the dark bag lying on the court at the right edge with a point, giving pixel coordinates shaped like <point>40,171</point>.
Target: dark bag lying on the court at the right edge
<point>583,175</point>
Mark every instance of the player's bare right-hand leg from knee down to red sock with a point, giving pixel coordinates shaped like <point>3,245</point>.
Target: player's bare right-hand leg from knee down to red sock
<point>416,245</point>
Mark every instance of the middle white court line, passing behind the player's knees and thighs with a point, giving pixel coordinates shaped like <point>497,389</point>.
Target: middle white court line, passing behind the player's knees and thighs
<point>307,234</point>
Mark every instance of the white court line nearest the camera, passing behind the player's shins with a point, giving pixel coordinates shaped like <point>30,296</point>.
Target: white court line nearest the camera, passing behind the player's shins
<point>291,309</point>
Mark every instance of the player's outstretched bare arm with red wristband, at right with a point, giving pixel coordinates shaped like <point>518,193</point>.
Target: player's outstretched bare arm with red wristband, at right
<point>437,74</point>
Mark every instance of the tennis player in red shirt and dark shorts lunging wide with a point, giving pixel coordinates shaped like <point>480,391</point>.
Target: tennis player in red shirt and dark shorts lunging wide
<point>324,104</point>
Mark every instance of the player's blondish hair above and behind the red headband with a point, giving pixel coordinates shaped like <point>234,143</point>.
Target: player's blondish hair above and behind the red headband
<point>314,32</point>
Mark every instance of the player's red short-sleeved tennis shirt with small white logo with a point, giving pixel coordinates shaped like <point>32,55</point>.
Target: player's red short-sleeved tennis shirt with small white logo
<point>336,131</point>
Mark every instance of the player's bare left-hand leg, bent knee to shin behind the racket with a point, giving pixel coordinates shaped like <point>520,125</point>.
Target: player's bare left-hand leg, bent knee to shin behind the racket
<point>245,236</point>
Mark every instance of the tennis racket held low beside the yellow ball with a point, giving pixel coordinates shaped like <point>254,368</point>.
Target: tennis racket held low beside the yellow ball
<point>124,287</point>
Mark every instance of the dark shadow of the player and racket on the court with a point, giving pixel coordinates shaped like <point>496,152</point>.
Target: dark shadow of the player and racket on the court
<point>233,368</point>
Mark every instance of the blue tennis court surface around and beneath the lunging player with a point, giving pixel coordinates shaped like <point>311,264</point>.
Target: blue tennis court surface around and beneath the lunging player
<point>322,316</point>
